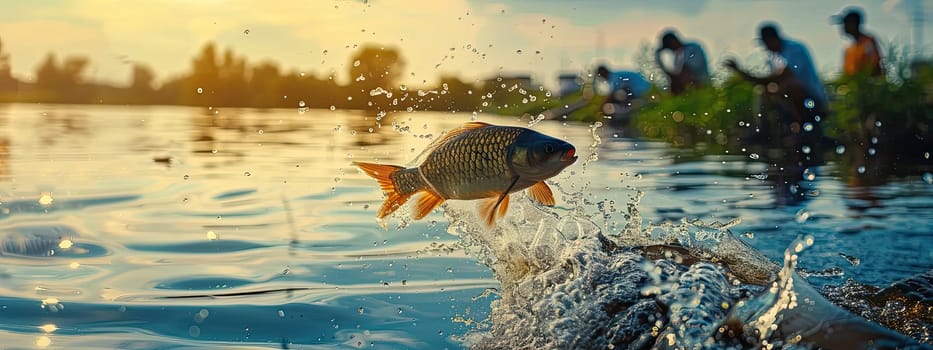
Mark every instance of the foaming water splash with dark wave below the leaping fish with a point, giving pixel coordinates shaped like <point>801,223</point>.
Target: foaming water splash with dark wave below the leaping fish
<point>567,282</point>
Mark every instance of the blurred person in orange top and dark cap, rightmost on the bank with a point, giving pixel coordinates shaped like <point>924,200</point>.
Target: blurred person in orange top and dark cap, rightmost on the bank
<point>864,55</point>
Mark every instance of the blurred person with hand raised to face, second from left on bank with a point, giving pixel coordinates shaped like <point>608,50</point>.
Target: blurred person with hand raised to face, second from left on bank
<point>690,67</point>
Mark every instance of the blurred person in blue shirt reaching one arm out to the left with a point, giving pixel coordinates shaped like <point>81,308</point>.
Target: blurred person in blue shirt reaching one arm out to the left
<point>792,85</point>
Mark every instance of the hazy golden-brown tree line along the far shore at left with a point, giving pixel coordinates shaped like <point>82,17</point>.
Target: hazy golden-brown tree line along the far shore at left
<point>225,79</point>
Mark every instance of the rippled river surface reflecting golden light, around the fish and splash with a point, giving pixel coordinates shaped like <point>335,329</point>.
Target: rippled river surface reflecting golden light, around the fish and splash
<point>161,227</point>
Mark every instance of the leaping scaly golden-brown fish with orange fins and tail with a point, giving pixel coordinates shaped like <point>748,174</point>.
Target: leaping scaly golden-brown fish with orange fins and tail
<point>476,161</point>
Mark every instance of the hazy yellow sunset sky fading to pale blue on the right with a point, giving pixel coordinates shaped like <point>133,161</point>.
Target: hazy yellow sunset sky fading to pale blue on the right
<point>470,38</point>
